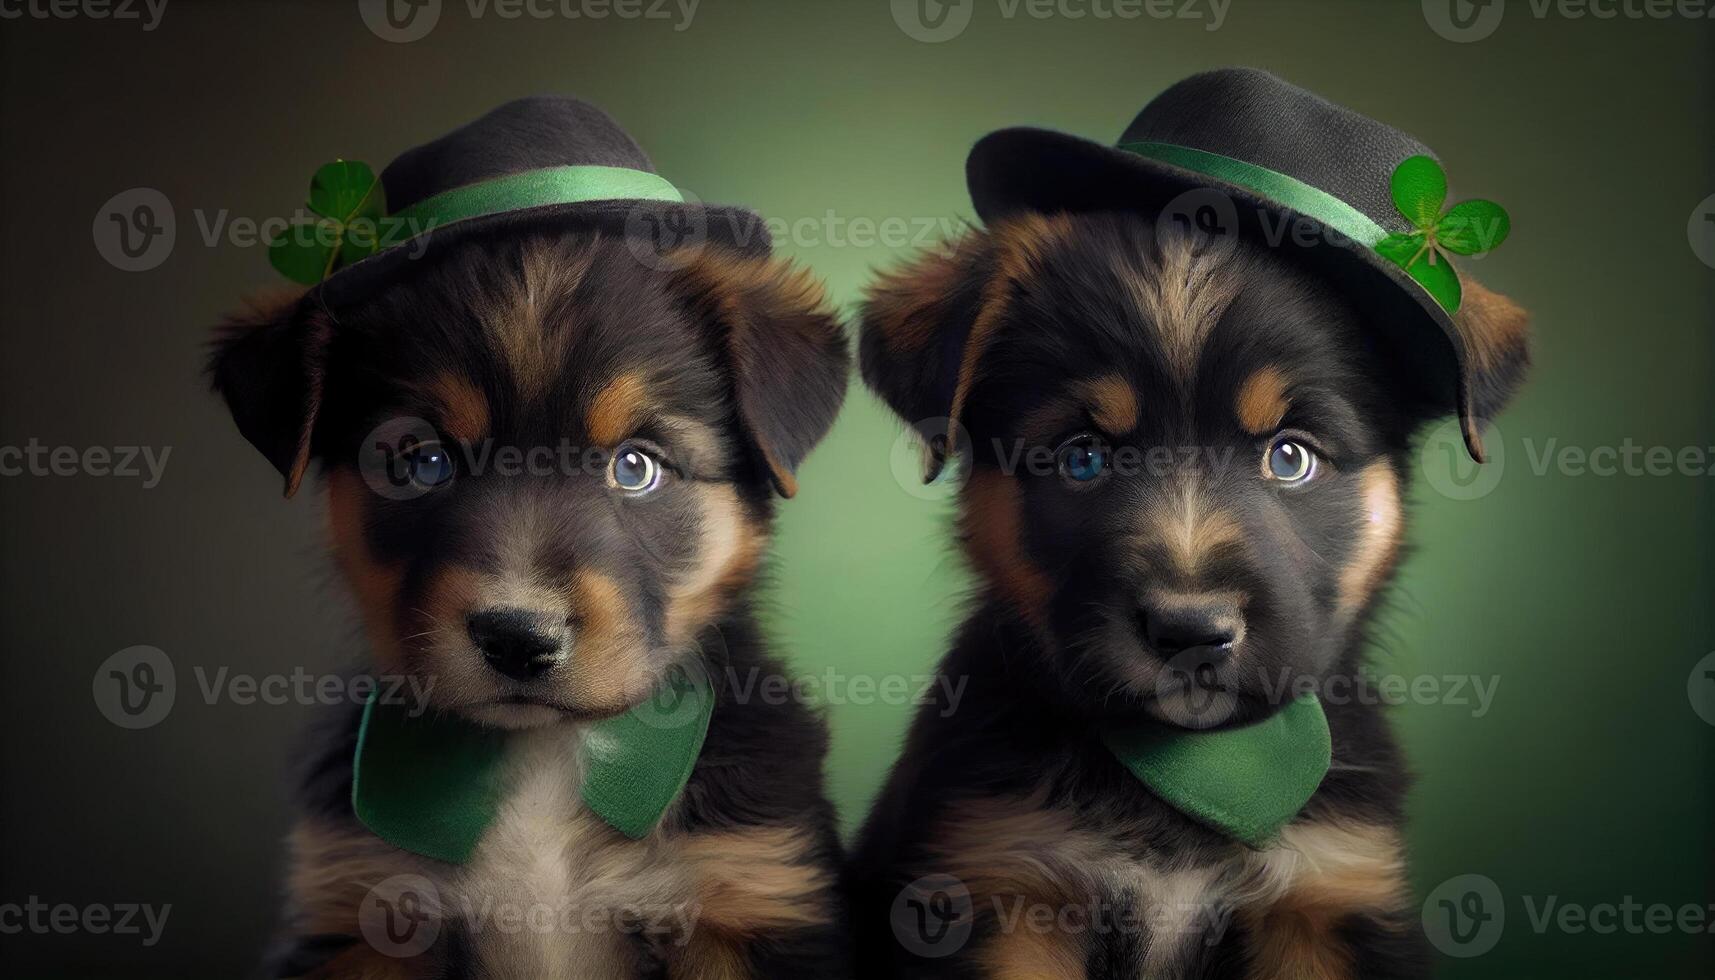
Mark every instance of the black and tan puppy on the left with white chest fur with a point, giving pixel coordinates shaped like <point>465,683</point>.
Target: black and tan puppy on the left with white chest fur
<point>550,476</point>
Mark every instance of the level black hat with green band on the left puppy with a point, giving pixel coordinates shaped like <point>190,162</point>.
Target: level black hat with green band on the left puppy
<point>534,164</point>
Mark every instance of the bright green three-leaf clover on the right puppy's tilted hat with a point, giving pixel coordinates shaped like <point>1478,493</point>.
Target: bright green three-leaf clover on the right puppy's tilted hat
<point>1467,229</point>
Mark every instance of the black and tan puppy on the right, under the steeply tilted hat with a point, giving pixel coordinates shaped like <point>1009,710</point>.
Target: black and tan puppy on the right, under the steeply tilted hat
<point>1258,523</point>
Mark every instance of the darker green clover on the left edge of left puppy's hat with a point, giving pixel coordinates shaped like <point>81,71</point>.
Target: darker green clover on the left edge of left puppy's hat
<point>347,209</point>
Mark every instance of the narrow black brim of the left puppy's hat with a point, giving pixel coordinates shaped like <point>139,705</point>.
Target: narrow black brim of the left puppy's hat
<point>687,226</point>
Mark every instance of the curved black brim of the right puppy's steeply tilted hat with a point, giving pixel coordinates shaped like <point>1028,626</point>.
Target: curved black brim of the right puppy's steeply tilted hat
<point>1028,169</point>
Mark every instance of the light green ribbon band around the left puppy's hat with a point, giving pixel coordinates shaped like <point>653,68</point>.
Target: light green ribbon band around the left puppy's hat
<point>534,190</point>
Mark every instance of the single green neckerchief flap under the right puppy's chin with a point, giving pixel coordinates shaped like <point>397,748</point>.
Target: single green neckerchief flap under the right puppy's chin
<point>1243,782</point>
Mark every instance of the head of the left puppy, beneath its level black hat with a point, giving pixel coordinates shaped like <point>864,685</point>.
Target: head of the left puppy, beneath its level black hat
<point>548,468</point>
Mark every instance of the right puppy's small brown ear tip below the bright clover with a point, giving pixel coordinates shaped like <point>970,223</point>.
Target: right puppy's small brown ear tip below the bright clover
<point>1496,334</point>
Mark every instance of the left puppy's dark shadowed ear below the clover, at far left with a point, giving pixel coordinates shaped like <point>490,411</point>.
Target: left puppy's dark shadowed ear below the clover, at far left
<point>268,365</point>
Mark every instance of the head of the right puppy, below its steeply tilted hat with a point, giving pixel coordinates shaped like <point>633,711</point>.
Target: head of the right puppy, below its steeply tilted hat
<point>1188,461</point>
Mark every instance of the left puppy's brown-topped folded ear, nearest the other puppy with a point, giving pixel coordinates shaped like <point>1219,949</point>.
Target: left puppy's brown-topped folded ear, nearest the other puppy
<point>783,349</point>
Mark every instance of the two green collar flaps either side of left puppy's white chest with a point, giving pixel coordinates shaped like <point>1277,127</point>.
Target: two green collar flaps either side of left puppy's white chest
<point>431,785</point>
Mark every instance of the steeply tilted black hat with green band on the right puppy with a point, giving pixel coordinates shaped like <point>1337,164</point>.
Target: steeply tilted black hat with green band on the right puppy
<point>1272,152</point>
